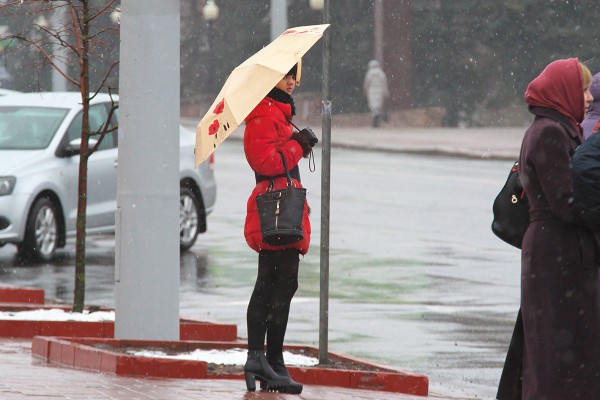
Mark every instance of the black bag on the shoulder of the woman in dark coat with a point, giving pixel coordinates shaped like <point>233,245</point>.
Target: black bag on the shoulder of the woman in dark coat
<point>511,210</point>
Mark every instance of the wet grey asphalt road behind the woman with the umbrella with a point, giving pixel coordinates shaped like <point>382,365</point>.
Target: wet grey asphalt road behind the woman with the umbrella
<point>418,280</point>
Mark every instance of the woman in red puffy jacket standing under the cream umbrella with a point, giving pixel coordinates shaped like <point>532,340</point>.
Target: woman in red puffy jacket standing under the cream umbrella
<point>268,137</point>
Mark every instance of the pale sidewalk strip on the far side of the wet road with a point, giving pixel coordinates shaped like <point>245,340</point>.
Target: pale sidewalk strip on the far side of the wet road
<point>475,143</point>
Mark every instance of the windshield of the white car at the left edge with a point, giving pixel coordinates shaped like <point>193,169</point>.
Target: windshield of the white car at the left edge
<point>28,128</point>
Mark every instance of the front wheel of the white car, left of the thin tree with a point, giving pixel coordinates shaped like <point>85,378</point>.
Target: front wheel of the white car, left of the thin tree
<point>41,231</point>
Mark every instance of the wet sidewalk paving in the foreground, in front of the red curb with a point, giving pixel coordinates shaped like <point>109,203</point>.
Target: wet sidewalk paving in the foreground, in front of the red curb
<point>27,378</point>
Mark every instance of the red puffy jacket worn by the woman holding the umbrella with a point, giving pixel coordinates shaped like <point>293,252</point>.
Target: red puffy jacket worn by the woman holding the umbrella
<point>267,133</point>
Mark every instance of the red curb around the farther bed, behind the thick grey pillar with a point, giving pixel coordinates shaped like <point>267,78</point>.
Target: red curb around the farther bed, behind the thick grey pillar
<point>188,329</point>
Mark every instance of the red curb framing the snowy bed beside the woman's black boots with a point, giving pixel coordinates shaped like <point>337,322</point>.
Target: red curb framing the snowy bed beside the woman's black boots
<point>103,355</point>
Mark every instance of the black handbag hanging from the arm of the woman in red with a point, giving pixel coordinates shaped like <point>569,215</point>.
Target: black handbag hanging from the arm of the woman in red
<point>280,212</point>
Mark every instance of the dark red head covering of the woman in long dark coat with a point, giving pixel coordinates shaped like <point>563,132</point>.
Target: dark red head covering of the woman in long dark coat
<point>560,87</point>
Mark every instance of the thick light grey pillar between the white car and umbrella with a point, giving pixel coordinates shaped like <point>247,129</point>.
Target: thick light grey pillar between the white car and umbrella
<point>147,231</point>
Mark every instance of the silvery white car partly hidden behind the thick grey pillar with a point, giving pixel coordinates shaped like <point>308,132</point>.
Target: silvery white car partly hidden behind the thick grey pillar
<point>39,167</point>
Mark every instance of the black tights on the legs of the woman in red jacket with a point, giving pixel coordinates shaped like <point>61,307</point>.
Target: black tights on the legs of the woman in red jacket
<point>269,306</point>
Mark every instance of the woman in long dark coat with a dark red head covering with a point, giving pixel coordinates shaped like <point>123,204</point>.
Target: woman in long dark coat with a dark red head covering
<point>555,351</point>
